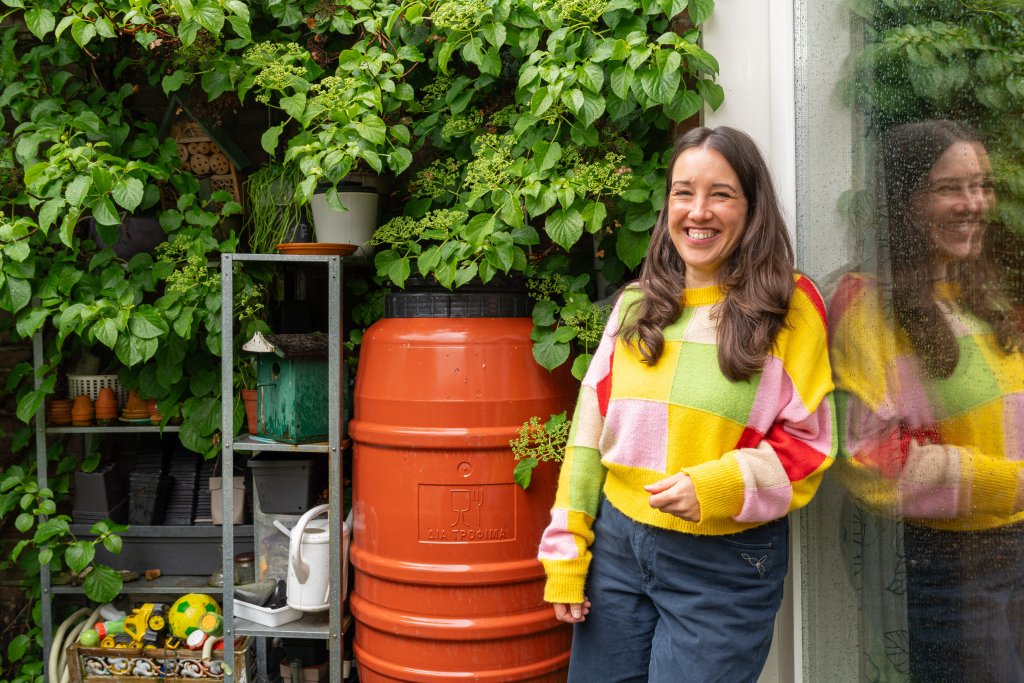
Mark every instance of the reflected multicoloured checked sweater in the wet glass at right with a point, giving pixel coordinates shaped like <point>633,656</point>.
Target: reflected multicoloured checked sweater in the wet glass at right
<point>945,453</point>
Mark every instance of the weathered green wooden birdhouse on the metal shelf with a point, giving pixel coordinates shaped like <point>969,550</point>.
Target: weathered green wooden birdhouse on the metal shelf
<point>292,388</point>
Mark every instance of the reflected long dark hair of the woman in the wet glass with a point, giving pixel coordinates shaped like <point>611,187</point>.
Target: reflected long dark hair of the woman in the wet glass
<point>910,152</point>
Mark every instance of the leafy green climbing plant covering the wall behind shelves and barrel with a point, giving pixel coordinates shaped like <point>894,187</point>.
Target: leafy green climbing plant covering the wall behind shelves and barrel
<point>529,138</point>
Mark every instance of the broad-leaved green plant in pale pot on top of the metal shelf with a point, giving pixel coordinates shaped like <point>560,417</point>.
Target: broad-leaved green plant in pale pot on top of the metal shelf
<point>335,126</point>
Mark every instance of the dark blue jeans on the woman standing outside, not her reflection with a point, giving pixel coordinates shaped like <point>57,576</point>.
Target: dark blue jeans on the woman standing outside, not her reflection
<point>671,608</point>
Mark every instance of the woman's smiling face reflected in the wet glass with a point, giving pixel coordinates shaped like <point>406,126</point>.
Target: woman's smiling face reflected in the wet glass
<point>952,205</point>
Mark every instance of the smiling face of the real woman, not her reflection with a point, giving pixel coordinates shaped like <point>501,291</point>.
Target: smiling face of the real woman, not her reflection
<point>707,214</point>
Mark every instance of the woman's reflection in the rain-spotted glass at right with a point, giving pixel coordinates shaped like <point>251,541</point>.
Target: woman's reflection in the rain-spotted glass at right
<point>930,385</point>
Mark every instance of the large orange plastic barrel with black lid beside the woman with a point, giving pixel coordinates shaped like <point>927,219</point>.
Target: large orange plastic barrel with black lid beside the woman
<point>444,549</point>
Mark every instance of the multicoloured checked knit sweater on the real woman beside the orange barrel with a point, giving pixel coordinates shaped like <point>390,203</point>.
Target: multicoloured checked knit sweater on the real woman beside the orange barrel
<point>755,450</point>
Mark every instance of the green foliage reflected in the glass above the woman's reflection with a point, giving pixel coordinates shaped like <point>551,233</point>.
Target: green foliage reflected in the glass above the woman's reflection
<point>961,61</point>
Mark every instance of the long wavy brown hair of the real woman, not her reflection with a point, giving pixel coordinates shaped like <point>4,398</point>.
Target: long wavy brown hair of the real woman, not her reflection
<point>757,279</point>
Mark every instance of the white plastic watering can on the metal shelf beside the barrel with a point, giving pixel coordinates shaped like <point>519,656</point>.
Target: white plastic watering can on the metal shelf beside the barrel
<point>309,562</point>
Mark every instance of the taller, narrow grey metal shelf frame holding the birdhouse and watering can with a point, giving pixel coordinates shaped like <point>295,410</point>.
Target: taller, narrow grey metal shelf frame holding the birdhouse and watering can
<point>312,626</point>
